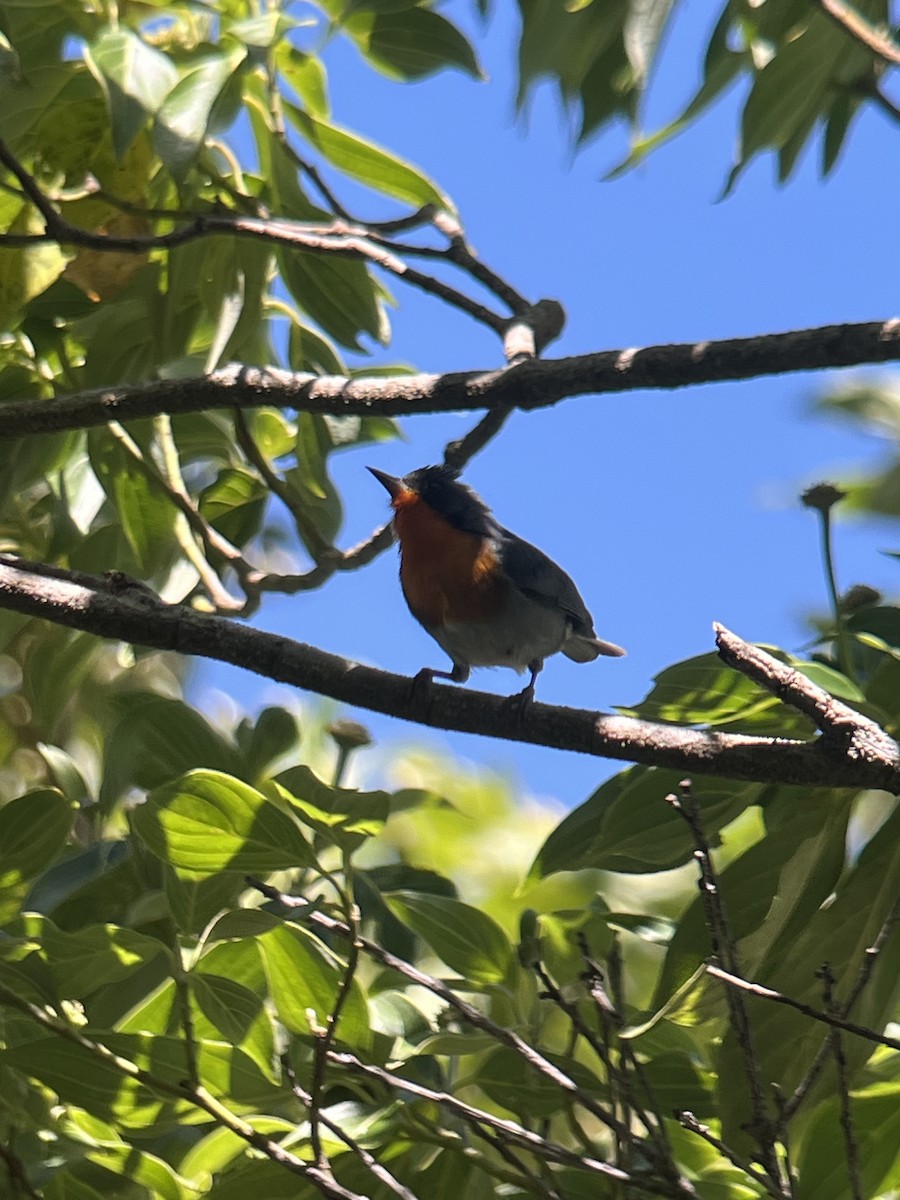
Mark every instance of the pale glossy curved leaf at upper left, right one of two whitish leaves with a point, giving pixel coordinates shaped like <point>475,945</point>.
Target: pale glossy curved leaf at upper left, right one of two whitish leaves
<point>183,118</point>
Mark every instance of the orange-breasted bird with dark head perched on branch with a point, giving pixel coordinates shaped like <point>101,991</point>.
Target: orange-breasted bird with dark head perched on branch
<point>487,597</point>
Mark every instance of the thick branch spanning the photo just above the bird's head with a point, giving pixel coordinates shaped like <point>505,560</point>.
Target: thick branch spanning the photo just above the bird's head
<point>536,383</point>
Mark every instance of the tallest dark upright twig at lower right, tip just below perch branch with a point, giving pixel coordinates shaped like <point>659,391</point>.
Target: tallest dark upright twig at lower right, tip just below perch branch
<point>725,952</point>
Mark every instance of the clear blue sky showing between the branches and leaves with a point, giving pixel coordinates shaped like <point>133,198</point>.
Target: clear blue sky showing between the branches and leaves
<point>670,509</point>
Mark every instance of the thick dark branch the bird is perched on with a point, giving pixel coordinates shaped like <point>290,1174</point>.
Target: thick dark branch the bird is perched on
<point>136,616</point>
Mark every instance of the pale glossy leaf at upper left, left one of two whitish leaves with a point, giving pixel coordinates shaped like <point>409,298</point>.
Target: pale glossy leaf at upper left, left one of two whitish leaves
<point>136,79</point>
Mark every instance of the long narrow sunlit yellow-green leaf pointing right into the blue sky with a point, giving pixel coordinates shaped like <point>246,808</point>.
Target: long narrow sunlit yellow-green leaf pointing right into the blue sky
<point>369,164</point>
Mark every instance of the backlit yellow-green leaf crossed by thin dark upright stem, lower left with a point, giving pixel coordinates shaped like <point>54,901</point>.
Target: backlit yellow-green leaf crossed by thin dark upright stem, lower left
<point>304,981</point>
